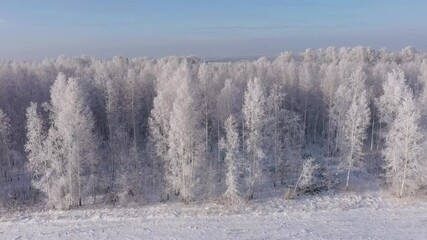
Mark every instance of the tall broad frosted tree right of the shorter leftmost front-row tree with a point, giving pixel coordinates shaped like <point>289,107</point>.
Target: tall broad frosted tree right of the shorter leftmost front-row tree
<point>74,122</point>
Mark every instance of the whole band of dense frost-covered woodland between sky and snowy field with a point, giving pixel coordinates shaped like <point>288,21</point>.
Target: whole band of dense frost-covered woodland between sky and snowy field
<point>77,130</point>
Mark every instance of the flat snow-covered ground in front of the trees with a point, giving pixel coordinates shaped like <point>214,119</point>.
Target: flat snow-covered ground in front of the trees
<point>342,216</point>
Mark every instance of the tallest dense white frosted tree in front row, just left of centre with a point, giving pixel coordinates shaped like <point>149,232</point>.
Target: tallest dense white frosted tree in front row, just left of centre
<point>186,146</point>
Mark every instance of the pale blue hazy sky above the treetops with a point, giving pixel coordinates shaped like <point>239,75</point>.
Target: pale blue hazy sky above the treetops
<point>34,30</point>
